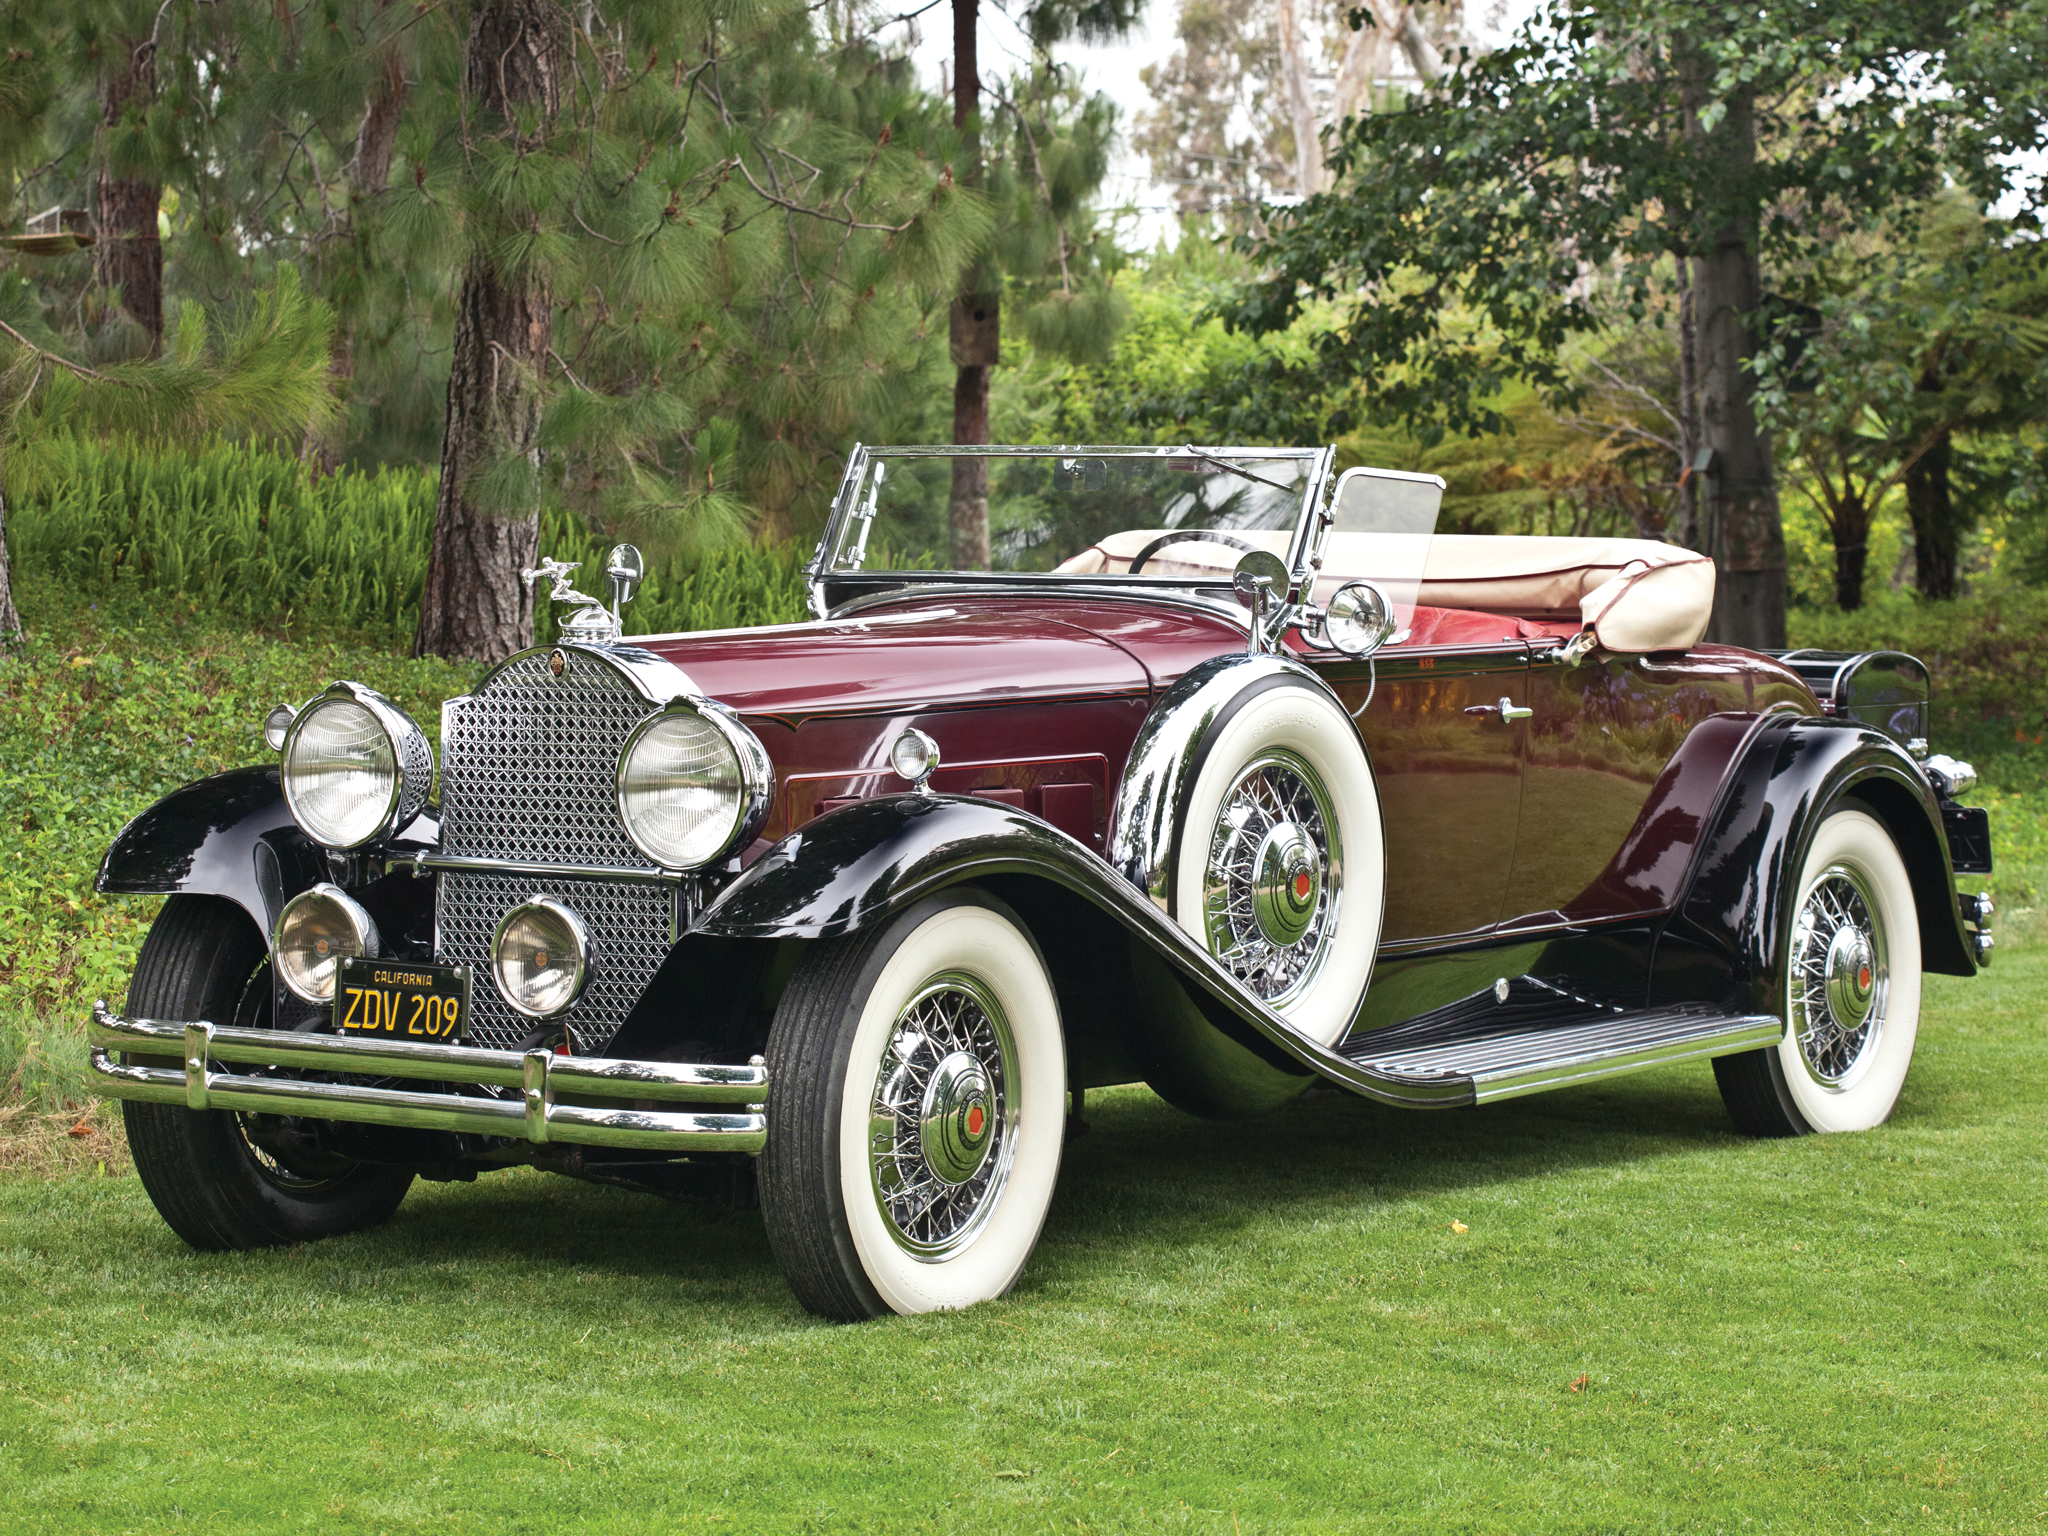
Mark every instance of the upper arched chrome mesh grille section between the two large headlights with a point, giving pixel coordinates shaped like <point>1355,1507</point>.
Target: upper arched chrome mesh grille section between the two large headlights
<point>529,765</point>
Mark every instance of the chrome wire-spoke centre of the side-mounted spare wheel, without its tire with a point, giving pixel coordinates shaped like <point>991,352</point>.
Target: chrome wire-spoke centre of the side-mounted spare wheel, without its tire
<point>1275,876</point>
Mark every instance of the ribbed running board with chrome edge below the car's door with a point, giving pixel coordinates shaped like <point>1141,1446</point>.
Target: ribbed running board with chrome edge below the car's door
<point>1508,1064</point>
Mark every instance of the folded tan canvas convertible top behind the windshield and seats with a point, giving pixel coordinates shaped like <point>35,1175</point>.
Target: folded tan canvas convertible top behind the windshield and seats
<point>1637,595</point>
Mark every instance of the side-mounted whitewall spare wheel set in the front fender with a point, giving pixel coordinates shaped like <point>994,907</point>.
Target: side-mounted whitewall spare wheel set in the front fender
<point>1281,869</point>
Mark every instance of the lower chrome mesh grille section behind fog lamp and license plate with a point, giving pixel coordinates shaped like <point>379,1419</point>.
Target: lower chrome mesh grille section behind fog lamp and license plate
<point>630,927</point>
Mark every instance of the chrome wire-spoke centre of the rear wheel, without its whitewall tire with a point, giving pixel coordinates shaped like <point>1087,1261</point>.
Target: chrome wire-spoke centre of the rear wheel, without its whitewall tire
<point>1838,978</point>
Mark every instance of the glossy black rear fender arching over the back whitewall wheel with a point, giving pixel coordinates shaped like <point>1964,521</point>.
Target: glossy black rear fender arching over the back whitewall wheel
<point>1736,914</point>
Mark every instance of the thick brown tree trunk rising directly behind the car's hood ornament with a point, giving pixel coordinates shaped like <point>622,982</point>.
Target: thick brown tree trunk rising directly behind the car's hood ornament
<point>476,605</point>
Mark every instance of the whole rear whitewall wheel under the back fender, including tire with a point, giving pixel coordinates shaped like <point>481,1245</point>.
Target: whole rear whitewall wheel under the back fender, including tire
<point>1850,992</point>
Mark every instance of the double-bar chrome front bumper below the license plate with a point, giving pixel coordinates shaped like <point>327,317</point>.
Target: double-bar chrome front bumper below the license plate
<point>538,1115</point>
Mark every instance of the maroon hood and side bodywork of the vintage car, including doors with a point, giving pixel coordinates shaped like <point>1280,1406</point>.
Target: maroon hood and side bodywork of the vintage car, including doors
<point>1584,812</point>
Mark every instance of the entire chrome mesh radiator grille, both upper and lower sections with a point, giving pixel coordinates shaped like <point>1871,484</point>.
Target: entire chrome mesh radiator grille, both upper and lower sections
<point>527,775</point>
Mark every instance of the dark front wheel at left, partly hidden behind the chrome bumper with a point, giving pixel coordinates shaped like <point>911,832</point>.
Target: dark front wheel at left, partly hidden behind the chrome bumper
<point>206,1170</point>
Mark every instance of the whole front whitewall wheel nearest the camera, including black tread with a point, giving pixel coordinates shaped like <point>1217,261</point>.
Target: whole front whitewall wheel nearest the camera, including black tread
<point>916,1111</point>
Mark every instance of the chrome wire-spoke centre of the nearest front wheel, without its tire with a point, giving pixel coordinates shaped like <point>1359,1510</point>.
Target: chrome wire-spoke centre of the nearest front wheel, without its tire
<point>943,1129</point>
